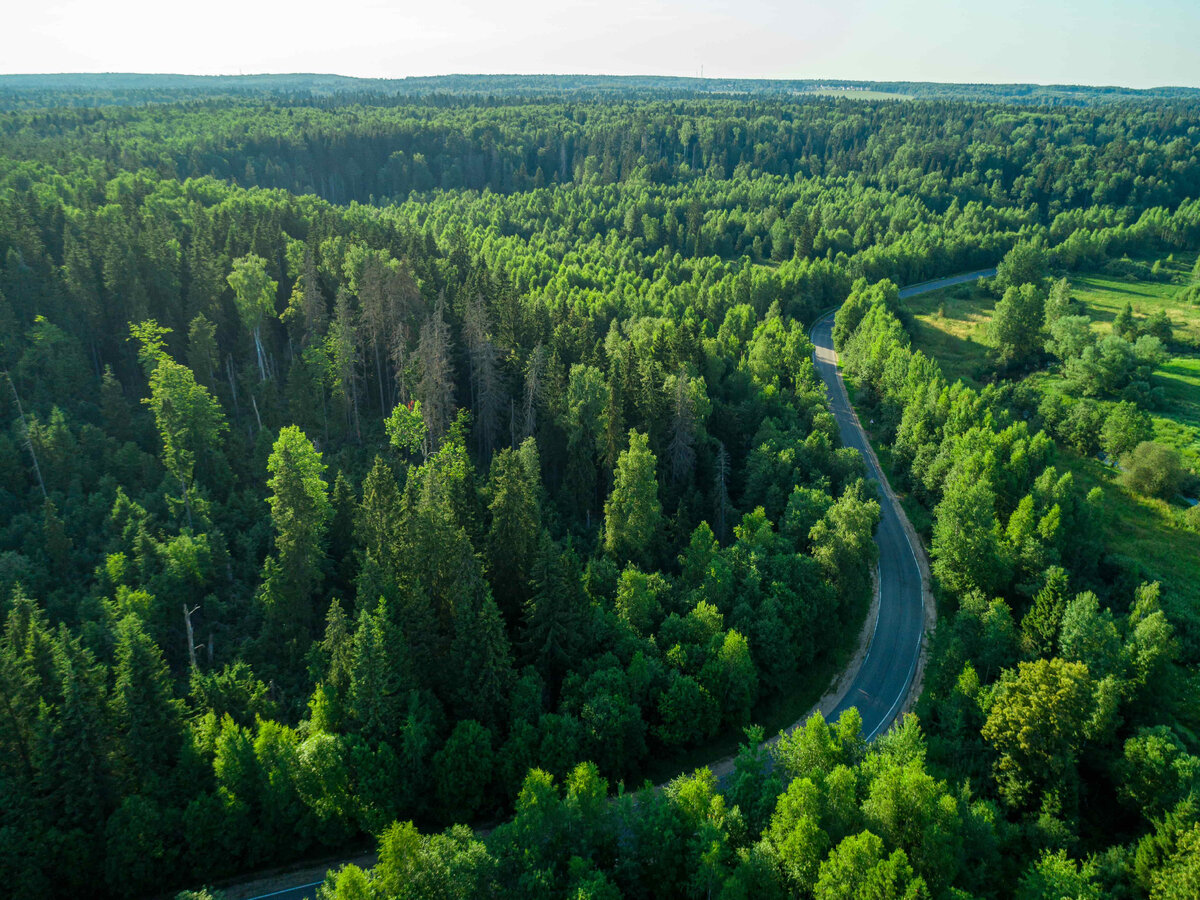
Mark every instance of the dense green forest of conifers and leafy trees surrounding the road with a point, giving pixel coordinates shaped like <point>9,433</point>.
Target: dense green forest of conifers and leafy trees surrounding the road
<point>427,472</point>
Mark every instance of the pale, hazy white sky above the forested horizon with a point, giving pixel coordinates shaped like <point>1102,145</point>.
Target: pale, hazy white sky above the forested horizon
<point>1124,43</point>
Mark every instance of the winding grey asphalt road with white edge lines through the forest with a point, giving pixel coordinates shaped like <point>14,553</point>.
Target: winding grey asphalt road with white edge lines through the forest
<point>883,683</point>
